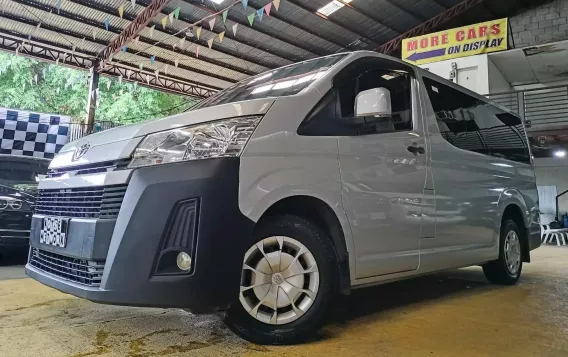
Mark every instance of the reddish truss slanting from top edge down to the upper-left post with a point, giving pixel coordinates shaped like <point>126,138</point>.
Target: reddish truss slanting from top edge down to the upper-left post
<point>133,29</point>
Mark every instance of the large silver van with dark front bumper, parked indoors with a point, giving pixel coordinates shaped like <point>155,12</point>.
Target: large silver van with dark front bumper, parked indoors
<point>274,196</point>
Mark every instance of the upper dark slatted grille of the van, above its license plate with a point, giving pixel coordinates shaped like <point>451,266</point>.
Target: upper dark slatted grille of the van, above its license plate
<point>86,202</point>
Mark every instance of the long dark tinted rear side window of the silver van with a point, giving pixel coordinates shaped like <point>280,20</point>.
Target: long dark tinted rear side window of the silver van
<point>474,125</point>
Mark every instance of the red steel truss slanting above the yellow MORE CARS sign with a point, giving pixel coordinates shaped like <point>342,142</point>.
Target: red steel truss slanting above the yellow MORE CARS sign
<point>452,12</point>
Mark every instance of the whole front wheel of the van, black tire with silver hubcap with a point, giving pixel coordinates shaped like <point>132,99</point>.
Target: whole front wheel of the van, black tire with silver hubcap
<point>277,327</point>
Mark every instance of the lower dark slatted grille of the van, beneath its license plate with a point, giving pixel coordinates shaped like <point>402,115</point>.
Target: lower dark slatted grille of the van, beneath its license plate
<point>81,271</point>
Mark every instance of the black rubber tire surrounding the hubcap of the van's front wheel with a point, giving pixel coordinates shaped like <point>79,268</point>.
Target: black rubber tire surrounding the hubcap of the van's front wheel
<point>242,323</point>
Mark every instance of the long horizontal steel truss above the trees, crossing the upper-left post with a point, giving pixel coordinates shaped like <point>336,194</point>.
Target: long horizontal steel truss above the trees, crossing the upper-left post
<point>54,53</point>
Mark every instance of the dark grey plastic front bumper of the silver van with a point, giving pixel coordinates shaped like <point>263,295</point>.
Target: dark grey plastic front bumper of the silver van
<point>131,244</point>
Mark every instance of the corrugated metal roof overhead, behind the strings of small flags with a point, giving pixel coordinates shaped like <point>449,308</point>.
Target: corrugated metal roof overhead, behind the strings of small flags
<point>293,33</point>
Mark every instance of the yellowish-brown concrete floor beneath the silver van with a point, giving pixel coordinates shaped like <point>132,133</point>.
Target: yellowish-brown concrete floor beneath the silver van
<point>449,314</point>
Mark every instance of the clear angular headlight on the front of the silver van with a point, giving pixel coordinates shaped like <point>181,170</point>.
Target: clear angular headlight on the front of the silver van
<point>224,138</point>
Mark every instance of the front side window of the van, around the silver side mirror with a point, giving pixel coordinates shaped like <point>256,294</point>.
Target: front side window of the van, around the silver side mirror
<point>334,114</point>
